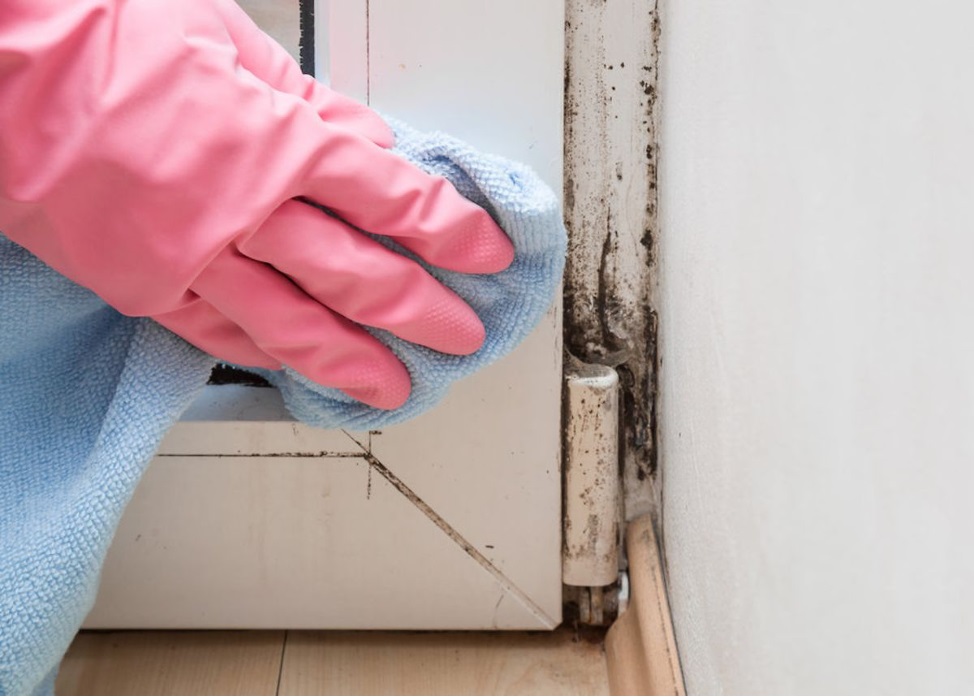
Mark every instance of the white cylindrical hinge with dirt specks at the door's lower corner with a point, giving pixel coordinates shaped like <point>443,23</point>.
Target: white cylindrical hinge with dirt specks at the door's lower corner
<point>592,543</point>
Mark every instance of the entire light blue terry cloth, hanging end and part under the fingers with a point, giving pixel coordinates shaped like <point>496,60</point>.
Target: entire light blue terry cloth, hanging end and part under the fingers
<point>86,395</point>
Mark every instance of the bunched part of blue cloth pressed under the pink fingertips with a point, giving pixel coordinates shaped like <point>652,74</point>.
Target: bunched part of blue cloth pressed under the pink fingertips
<point>509,303</point>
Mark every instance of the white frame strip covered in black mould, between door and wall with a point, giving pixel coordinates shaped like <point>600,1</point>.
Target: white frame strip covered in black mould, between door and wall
<point>611,212</point>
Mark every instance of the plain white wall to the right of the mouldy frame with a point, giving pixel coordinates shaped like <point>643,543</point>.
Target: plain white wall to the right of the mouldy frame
<point>817,317</point>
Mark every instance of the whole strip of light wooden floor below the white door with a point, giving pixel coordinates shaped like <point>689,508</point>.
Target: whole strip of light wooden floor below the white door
<point>326,663</point>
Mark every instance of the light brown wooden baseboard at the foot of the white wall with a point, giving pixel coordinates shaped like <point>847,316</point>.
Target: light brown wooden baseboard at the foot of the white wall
<point>640,646</point>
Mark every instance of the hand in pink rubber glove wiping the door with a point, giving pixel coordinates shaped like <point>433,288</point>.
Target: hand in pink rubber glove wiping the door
<point>159,152</point>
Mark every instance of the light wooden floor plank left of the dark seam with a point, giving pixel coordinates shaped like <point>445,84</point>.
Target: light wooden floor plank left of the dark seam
<point>172,663</point>
